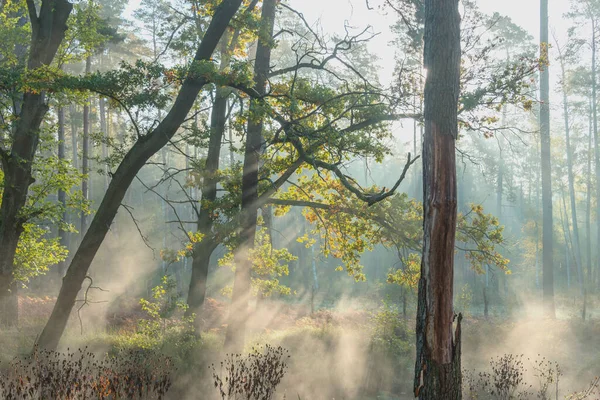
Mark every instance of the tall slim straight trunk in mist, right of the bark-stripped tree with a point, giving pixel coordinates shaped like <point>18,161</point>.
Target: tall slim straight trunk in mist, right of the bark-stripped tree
<point>547,231</point>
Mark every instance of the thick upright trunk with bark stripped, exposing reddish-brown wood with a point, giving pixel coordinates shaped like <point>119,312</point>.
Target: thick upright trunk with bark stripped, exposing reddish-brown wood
<point>438,368</point>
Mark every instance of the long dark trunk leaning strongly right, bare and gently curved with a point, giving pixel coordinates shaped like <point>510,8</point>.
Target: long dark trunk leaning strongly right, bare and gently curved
<point>133,161</point>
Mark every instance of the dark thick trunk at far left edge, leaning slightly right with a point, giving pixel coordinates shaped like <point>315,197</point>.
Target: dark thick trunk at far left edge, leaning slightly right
<point>47,32</point>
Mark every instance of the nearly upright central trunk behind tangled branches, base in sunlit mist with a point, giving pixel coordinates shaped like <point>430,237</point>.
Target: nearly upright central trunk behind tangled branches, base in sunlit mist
<point>238,313</point>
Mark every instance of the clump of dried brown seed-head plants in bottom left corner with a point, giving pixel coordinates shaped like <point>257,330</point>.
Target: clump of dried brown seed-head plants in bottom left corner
<point>44,375</point>
